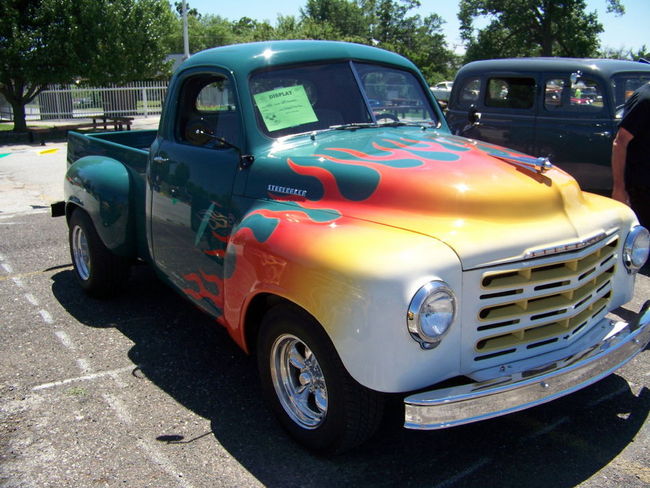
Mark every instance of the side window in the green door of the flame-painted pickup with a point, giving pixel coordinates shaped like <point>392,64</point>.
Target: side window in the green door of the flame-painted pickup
<point>208,112</point>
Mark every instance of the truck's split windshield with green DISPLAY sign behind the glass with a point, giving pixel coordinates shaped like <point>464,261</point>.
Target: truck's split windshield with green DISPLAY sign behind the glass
<point>322,96</point>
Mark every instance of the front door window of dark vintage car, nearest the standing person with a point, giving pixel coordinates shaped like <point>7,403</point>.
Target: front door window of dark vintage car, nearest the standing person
<point>584,95</point>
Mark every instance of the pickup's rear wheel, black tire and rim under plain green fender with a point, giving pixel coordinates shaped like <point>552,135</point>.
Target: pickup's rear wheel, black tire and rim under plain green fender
<point>98,271</point>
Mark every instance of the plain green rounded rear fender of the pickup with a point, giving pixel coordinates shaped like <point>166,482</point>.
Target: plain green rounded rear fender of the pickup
<point>101,186</point>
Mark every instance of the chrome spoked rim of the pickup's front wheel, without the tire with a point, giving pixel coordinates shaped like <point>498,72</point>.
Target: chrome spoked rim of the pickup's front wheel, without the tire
<point>299,381</point>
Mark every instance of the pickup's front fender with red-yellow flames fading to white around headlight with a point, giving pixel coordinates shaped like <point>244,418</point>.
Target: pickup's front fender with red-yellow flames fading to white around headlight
<point>355,278</point>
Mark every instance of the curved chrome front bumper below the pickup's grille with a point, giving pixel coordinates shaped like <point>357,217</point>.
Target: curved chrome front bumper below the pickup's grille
<point>438,409</point>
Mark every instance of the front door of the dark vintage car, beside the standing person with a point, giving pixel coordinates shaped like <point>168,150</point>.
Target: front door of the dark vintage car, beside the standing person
<point>575,128</point>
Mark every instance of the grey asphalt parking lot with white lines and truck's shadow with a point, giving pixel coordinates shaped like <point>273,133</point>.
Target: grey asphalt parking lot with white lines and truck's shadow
<point>143,390</point>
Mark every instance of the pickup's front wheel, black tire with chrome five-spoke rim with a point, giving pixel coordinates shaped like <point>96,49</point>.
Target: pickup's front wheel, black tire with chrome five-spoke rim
<point>352,412</point>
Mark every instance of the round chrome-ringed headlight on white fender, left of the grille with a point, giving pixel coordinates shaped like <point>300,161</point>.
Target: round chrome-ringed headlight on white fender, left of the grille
<point>431,313</point>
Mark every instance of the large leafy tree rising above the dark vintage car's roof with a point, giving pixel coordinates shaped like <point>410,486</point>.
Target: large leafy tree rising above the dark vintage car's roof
<point>531,28</point>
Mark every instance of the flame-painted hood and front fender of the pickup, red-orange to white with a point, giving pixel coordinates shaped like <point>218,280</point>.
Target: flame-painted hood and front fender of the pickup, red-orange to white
<point>326,252</point>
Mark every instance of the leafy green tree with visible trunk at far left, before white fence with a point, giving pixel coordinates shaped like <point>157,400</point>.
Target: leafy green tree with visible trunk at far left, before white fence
<point>45,42</point>
